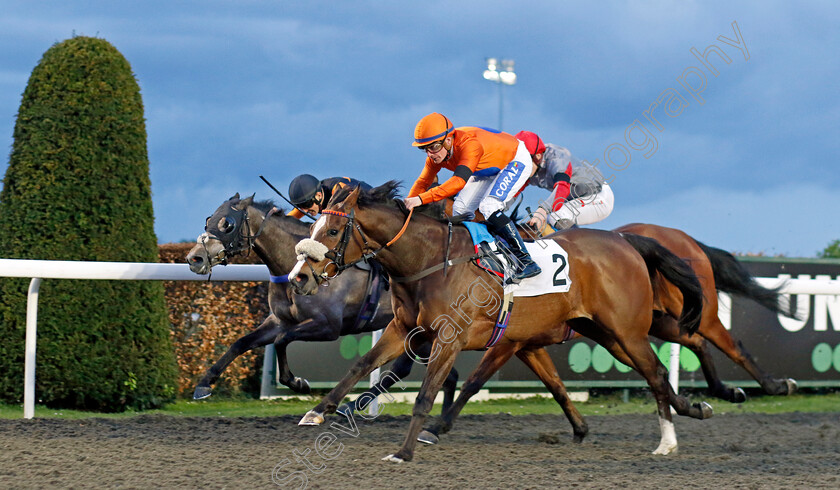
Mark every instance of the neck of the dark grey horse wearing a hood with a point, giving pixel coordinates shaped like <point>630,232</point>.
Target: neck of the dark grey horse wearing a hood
<point>276,243</point>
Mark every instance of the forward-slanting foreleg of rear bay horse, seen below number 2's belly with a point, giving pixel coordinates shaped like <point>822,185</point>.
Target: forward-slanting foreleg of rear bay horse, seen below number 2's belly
<point>493,359</point>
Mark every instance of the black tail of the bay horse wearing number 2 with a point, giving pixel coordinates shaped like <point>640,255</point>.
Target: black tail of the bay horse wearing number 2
<point>677,272</point>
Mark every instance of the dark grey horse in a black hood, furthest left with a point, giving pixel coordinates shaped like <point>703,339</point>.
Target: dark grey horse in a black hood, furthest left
<point>241,225</point>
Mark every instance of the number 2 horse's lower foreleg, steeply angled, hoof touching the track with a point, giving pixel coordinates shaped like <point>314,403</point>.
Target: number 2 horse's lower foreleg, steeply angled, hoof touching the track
<point>436,374</point>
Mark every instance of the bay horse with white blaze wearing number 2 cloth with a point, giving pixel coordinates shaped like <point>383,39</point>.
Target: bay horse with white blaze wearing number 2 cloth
<point>610,299</point>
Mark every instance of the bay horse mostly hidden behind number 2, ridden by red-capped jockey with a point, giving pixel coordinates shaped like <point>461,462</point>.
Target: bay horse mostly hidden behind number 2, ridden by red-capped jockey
<point>716,269</point>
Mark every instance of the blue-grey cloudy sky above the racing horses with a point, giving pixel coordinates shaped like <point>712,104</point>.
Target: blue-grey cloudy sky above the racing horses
<point>234,90</point>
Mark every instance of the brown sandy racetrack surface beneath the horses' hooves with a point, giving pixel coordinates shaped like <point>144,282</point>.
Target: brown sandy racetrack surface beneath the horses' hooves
<point>793,450</point>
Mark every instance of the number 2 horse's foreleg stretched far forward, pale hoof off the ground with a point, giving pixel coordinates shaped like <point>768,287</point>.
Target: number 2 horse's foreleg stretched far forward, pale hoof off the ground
<point>389,346</point>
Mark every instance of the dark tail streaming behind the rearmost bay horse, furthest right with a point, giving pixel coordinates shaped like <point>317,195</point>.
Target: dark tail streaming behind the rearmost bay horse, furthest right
<point>732,277</point>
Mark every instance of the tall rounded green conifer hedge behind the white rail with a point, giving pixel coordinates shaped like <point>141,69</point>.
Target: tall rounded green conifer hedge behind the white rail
<point>77,188</point>
